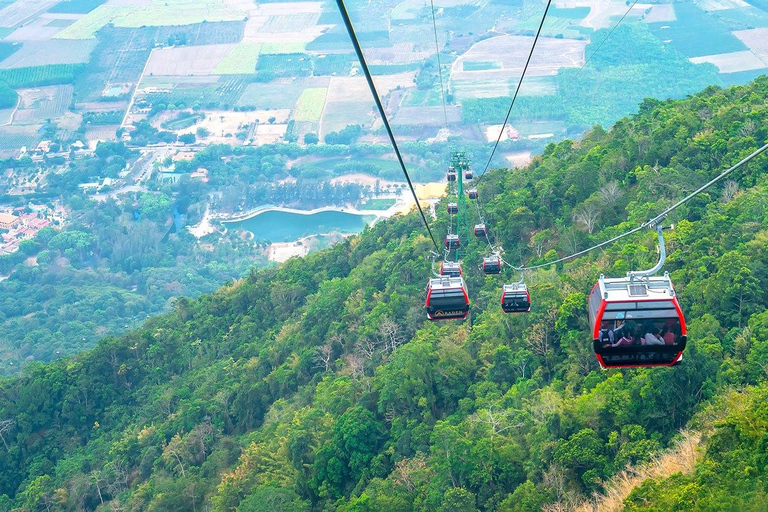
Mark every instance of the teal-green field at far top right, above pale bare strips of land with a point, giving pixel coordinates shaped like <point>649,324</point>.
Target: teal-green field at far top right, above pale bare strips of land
<point>696,34</point>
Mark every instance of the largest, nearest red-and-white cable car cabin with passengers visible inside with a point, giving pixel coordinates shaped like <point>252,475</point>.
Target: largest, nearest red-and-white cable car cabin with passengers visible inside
<point>636,322</point>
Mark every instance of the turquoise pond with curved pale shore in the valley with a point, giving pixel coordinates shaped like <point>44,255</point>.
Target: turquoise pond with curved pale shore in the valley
<point>277,226</point>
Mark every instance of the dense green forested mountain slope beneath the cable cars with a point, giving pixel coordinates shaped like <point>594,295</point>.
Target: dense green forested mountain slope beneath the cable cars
<point>320,386</point>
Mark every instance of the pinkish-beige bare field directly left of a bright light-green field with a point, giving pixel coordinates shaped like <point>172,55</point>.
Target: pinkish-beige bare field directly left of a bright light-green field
<point>187,60</point>
